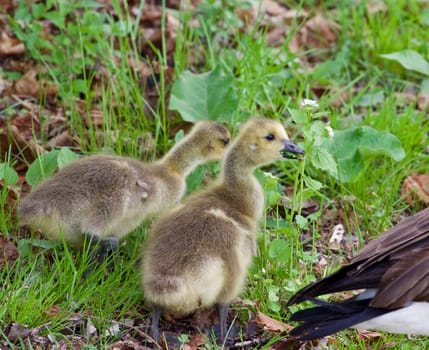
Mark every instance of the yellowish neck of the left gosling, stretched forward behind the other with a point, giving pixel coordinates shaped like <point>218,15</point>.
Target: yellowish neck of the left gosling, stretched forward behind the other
<point>182,158</point>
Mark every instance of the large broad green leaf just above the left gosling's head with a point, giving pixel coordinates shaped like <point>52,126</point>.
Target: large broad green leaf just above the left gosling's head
<point>201,96</point>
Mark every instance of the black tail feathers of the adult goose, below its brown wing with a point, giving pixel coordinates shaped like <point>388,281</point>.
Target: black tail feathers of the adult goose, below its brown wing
<point>328,318</point>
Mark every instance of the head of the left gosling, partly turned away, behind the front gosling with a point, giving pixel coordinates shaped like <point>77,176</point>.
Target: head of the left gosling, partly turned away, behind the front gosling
<point>210,139</point>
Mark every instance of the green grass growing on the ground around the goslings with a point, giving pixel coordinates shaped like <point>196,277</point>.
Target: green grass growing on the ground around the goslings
<point>269,81</point>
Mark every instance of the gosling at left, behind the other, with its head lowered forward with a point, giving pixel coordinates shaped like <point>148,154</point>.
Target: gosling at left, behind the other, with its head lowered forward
<point>102,198</point>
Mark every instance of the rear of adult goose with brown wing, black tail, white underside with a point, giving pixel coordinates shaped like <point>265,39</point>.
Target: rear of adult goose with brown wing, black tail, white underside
<point>391,273</point>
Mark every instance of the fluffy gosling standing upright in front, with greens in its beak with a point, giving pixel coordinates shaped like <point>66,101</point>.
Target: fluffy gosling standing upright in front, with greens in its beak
<point>197,254</point>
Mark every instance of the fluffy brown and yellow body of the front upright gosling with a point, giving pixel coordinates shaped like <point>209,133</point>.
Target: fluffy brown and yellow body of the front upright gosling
<point>205,264</point>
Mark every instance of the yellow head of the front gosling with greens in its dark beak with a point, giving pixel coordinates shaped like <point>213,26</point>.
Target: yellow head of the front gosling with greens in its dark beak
<point>264,141</point>
